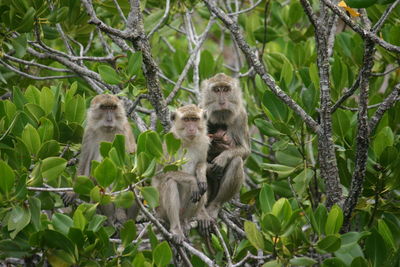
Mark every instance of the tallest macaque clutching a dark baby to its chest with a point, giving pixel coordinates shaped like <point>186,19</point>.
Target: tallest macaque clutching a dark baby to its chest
<point>230,141</point>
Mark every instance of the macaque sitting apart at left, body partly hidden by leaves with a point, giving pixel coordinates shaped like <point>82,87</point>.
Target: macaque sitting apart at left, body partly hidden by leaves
<point>105,118</point>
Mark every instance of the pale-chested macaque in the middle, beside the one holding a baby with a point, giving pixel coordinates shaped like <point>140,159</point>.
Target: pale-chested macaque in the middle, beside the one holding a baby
<point>182,192</point>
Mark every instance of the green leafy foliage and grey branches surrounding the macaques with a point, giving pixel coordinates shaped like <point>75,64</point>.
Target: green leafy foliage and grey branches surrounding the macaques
<point>322,182</point>
